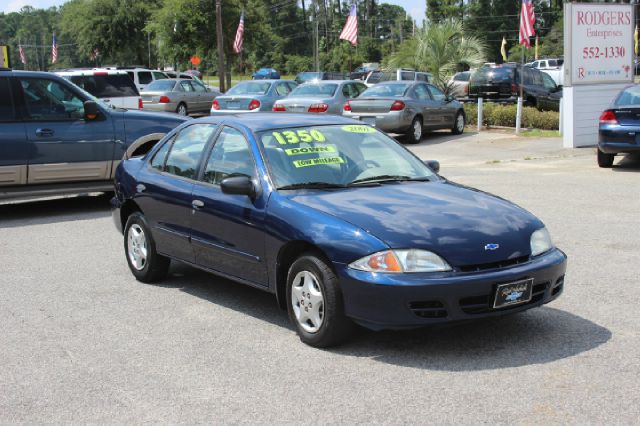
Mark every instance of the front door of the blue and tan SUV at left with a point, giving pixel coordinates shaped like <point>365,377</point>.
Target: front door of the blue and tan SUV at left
<point>63,146</point>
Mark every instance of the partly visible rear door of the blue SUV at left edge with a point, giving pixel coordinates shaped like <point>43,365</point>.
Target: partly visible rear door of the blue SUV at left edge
<point>13,138</point>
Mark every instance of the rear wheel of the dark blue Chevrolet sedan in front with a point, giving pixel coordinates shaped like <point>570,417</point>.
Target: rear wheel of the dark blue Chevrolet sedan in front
<point>140,249</point>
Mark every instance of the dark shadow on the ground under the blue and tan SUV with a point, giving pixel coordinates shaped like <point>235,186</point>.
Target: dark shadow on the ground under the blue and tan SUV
<point>54,210</point>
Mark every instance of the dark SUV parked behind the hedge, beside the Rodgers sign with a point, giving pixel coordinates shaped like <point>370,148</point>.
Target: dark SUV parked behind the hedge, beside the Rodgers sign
<point>501,83</point>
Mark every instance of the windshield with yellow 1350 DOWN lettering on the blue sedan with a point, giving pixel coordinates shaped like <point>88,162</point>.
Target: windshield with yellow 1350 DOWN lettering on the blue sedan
<point>337,156</point>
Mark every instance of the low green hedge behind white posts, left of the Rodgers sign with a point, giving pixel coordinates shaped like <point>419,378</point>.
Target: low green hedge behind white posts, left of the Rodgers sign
<point>505,116</point>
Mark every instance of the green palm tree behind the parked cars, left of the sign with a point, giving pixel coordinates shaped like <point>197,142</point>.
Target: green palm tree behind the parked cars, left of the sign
<point>440,48</point>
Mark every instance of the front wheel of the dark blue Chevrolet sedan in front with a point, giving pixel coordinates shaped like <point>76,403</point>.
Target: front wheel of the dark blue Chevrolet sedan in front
<point>315,305</point>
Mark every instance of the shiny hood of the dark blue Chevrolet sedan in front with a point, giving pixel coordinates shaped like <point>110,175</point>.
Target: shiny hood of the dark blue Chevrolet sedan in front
<point>451,220</point>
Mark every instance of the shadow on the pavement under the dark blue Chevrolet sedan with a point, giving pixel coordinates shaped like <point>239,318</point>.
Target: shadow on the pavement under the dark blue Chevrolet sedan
<point>538,336</point>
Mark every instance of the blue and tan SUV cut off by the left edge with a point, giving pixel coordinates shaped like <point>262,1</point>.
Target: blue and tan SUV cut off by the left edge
<point>57,139</point>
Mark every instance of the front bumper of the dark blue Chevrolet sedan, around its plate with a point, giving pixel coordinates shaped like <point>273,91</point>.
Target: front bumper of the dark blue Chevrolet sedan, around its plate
<point>394,301</point>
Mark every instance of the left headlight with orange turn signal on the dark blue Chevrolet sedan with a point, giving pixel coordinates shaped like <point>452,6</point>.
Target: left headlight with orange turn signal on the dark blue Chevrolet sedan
<point>398,261</point>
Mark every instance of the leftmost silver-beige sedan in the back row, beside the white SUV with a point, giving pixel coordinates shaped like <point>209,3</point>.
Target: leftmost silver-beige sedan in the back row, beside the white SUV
<point>178,95</point>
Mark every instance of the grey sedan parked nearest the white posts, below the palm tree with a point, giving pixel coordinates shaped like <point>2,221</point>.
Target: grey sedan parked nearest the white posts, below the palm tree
<point>408,108</point>
